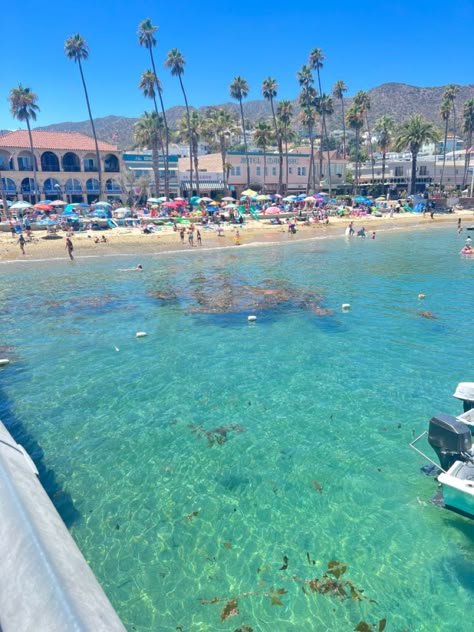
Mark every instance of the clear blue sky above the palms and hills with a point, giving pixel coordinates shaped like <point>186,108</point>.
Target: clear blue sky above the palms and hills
<point>366,43</point>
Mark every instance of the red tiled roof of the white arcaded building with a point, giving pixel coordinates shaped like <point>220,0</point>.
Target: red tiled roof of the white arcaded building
<point>53,140</point>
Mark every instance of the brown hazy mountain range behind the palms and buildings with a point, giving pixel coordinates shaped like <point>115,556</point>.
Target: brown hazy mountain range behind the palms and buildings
<point>398,100</point>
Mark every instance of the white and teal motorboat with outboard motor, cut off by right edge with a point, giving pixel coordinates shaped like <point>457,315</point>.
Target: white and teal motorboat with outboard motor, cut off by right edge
<point>451,439</point>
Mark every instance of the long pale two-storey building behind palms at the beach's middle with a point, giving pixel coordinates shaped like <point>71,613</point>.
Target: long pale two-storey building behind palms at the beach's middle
<point>264,171</point>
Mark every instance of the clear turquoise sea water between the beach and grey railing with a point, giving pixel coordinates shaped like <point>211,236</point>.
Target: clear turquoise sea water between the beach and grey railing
<point>163,517</point>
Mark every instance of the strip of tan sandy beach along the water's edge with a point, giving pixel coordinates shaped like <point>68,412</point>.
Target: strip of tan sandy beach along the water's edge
<point>132,241</point>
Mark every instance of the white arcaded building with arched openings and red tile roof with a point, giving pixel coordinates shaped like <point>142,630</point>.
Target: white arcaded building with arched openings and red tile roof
<point>66,167</point>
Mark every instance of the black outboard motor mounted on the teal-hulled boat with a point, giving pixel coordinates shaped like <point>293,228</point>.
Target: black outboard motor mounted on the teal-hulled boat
<point>450,439</point>
